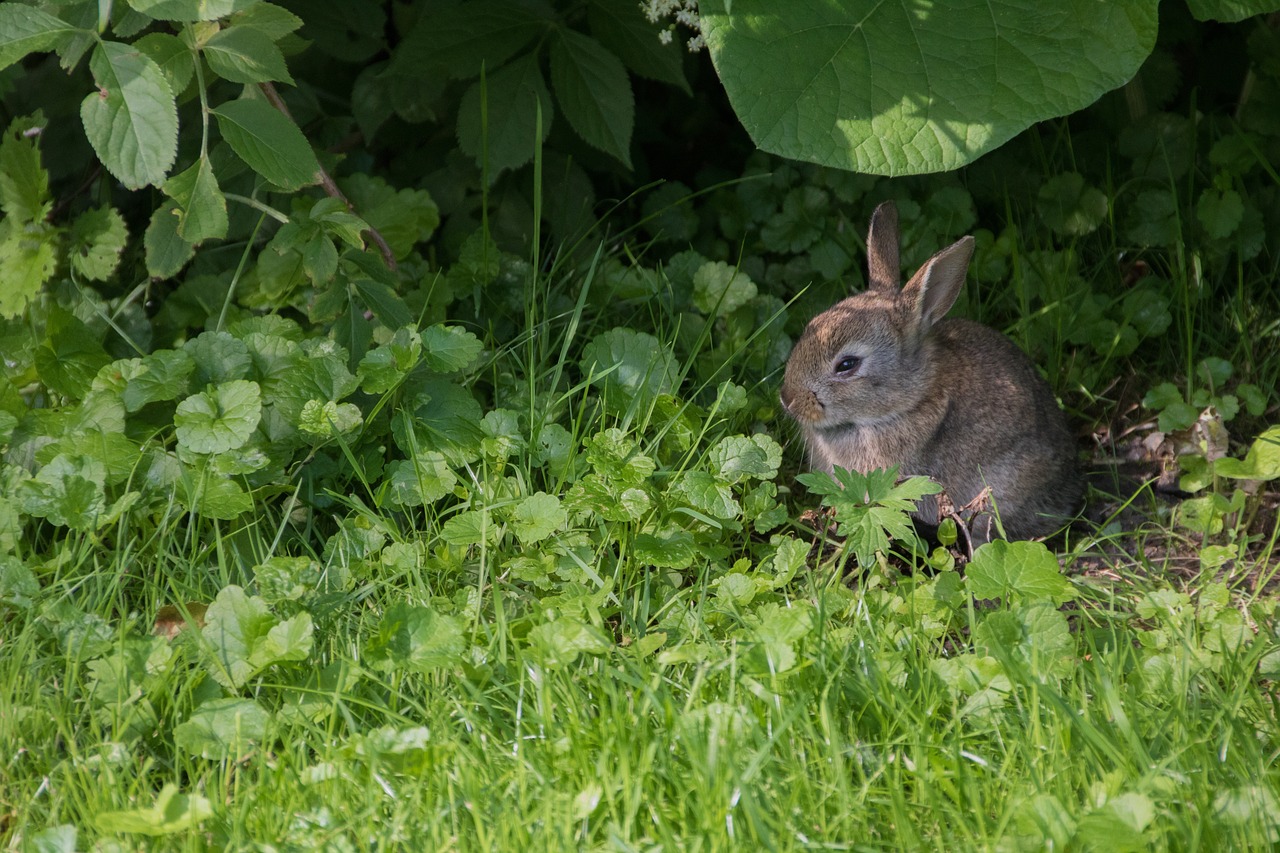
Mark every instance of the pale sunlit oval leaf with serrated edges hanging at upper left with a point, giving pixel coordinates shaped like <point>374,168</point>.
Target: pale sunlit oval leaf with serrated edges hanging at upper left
<point>132,118</point>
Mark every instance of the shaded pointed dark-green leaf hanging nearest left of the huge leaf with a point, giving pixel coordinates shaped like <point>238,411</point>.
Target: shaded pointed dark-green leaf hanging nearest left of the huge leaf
<point>595,94</point>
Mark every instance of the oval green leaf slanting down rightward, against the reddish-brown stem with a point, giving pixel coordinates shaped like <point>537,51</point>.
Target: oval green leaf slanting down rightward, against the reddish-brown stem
<point>269,143</point>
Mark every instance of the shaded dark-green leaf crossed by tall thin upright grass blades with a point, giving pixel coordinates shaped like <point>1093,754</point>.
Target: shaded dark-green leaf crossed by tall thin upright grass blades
<point>515,94</point>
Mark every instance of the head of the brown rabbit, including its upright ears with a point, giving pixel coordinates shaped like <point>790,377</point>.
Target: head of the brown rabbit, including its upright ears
<point>868,358</point>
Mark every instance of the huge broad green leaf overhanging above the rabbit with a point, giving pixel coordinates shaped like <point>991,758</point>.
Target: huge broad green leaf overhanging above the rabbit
<point>906,89</point>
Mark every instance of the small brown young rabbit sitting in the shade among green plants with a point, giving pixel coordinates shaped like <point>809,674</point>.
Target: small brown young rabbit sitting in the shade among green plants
<point>884,378</point>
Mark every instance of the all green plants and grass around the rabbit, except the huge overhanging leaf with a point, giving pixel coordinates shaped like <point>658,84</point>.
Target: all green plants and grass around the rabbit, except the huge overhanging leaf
<point>391,450</point>
